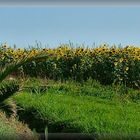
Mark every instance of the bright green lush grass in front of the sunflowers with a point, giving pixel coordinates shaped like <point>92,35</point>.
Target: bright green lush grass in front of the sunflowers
<point>89,108</point>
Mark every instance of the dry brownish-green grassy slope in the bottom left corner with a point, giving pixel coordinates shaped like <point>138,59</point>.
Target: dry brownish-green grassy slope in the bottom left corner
<point>12,128</point>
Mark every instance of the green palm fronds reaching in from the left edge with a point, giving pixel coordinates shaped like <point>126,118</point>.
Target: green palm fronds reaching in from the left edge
<point>7,89</point>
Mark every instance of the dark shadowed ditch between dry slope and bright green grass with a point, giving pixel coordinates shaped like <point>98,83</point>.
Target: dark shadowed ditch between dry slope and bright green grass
<point>34,122</point>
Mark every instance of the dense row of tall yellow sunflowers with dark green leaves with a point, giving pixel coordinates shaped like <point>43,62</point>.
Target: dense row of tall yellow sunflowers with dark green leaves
<point>106,64</point>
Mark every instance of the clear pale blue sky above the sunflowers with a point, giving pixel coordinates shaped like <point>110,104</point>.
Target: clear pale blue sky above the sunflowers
<point>53,26</point>
